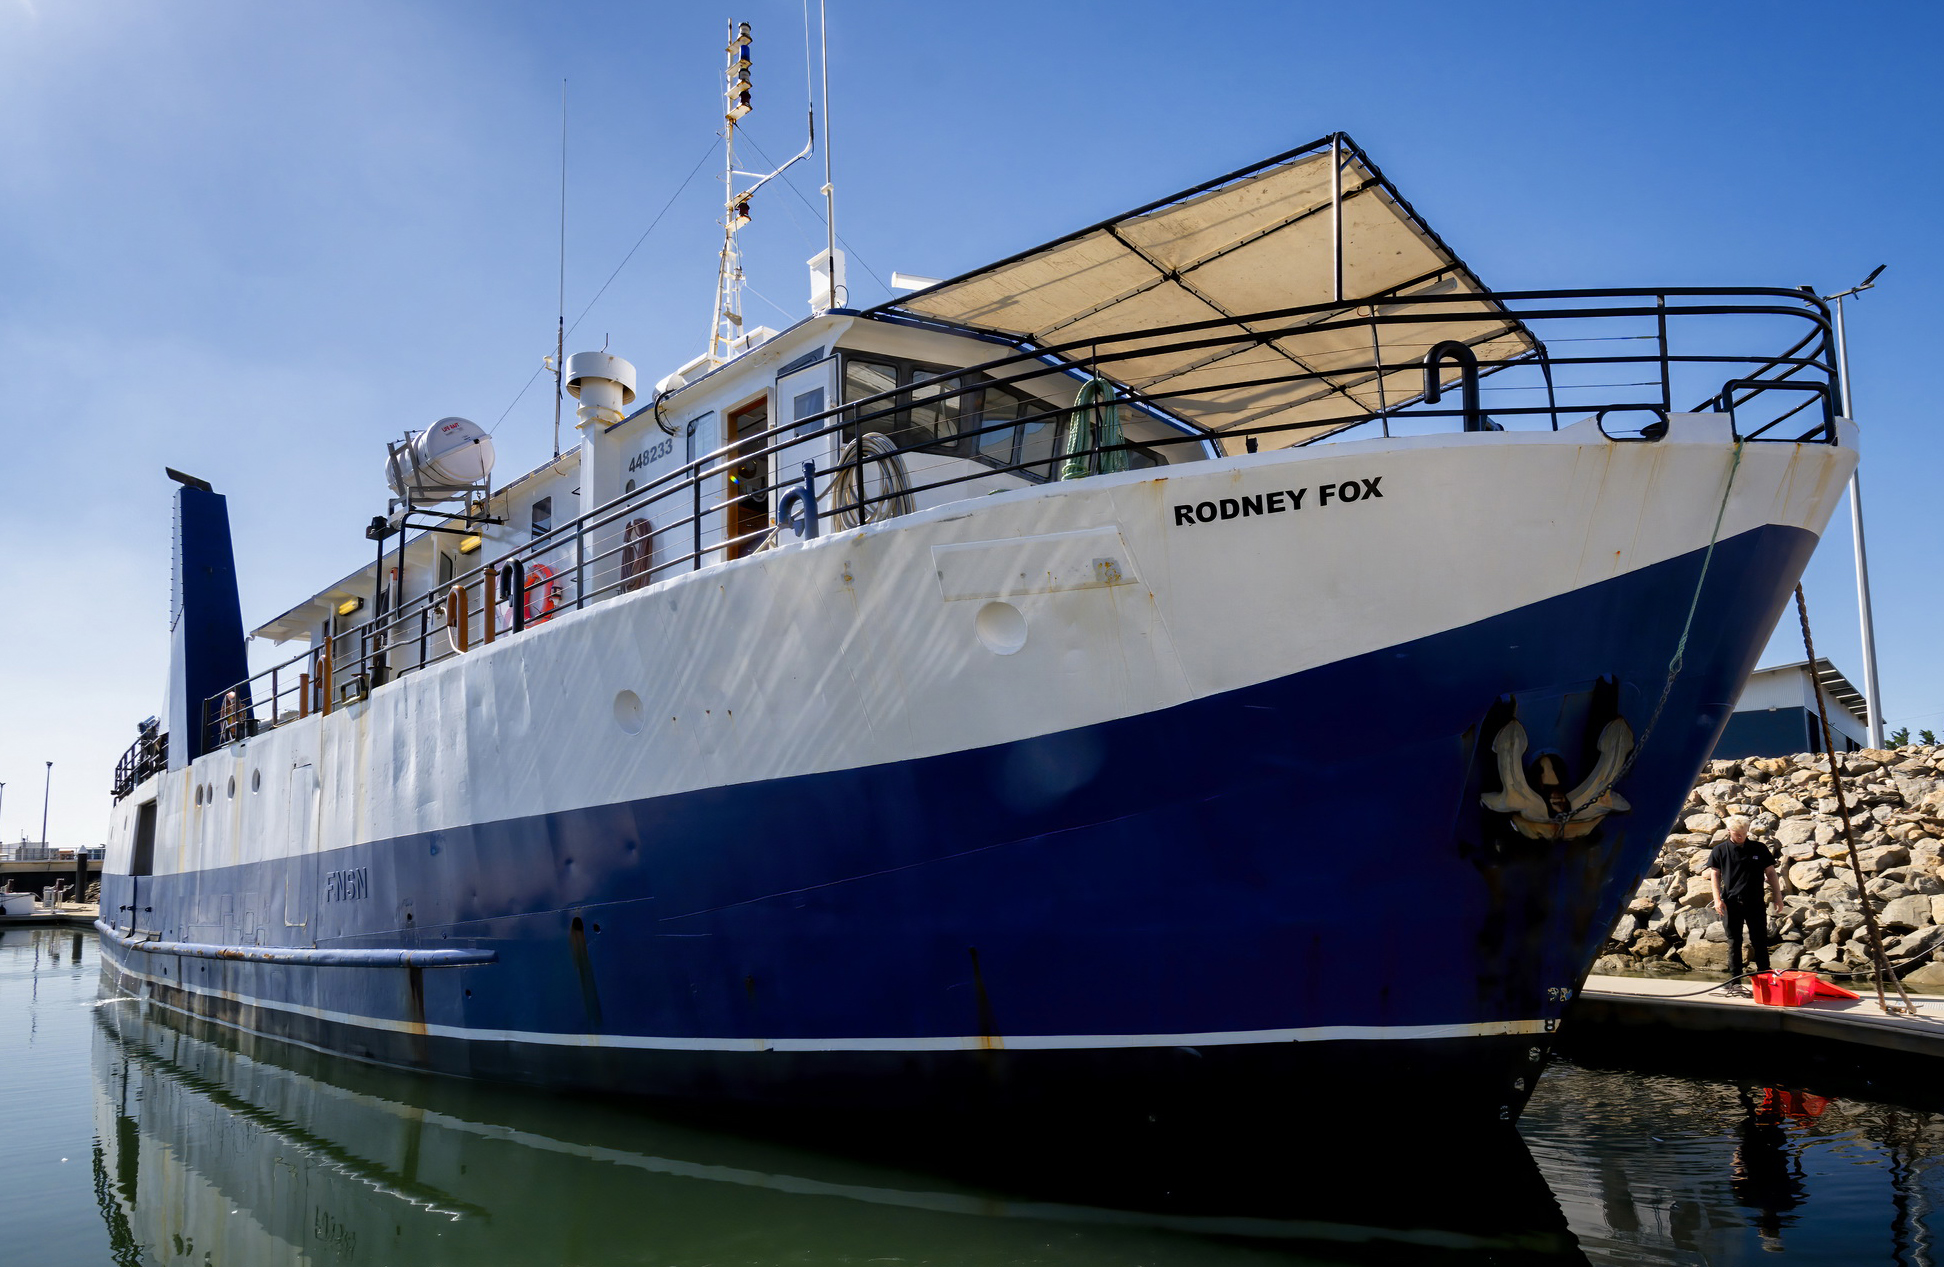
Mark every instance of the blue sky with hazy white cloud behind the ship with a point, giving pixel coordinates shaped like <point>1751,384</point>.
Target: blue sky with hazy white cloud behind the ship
<point>256,242</point>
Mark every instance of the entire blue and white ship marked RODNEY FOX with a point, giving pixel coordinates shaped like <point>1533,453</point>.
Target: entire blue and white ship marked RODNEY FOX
<point>1222,664</point>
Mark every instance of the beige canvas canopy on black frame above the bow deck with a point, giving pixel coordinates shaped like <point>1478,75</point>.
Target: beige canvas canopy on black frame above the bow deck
<point>1261,240</point>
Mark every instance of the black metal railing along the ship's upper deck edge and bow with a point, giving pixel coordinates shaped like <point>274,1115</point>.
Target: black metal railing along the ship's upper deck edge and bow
<point>946,430</point>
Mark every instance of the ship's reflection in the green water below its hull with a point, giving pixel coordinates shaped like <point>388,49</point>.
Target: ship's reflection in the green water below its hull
<point>225,1149</point>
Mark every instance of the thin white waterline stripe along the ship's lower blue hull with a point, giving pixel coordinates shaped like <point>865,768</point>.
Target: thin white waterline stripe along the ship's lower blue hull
<point>965,1043</point>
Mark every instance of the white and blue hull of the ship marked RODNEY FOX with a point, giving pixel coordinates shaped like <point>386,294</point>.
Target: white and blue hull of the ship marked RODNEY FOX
<point>1057,796</point>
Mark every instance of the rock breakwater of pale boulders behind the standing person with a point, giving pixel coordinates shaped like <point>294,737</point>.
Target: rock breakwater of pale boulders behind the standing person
<point>1896,805</point>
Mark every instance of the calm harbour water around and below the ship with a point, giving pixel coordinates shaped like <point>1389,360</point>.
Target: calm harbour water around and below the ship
<point>125,1140</point>
